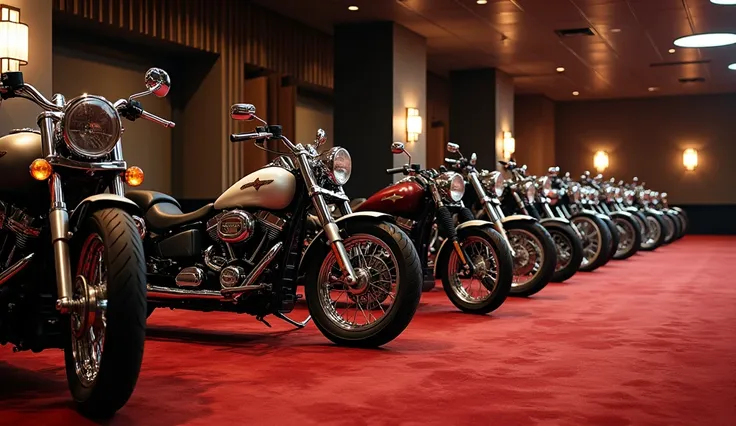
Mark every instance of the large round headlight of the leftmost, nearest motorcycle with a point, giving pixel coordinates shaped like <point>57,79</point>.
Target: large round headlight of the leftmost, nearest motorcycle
<point>91,126</point>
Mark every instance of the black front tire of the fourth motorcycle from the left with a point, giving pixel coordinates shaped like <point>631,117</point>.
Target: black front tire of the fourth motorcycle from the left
<point>547,269</point>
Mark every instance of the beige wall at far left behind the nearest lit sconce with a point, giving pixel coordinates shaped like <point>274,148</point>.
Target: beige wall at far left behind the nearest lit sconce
<point>18,113</point>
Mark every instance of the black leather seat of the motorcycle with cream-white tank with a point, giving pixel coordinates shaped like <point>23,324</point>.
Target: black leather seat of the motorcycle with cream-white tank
<point>163,212</point>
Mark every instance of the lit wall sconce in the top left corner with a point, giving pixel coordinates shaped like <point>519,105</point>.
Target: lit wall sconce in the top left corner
<point>13,39</point>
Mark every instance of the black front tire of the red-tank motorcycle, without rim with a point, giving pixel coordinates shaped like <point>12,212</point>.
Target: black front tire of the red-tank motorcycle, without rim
<point>505,265</point>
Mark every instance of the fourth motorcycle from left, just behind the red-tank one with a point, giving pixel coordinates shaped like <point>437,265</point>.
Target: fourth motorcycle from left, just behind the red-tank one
<point>532,247</point>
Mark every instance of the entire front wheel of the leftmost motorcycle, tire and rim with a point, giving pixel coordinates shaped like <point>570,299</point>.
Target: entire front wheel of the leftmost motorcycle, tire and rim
<point>108,321</point>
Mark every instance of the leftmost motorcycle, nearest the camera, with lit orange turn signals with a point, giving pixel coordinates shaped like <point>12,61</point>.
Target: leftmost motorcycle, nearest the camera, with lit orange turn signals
<point>96,310</point>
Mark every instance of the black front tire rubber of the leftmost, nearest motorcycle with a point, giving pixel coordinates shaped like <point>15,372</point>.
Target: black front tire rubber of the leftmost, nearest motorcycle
<point>126,315</point>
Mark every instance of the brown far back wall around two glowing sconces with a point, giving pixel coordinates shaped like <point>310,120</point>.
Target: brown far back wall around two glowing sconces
<point>646,137</point>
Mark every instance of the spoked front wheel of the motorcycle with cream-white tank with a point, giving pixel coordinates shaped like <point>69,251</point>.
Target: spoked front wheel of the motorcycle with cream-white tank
<point>376,309</point>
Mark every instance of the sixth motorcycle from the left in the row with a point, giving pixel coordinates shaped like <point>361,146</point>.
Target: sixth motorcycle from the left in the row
<point>568,203</point>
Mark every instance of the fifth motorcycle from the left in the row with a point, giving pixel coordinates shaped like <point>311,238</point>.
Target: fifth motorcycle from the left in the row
<point>528,195</point>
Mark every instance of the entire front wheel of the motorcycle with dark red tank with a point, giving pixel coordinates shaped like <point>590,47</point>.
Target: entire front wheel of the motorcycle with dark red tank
<point>487,287</point>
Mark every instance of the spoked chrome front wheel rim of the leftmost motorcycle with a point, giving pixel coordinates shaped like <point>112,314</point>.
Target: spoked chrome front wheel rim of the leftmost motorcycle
<point>89,311</point>
